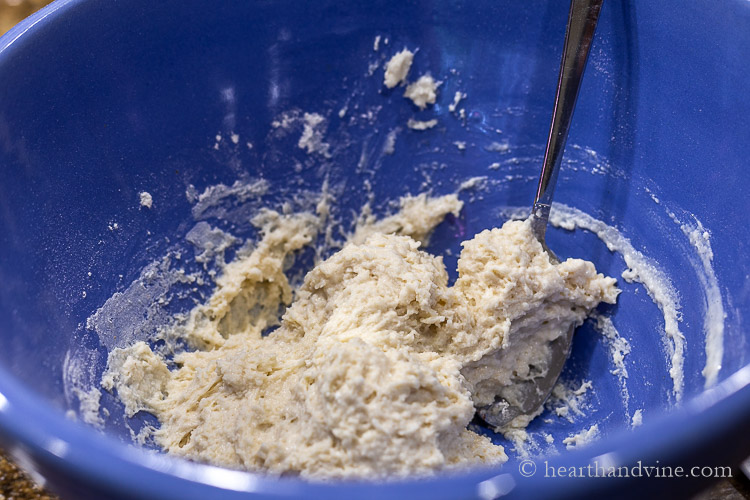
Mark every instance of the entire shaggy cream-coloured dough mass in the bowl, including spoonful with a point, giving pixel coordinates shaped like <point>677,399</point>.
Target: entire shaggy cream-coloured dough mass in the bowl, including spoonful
<point>377,365</point>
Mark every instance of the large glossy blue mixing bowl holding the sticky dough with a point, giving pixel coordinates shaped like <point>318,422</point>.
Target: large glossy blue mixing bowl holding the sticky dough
<point>100,101</point>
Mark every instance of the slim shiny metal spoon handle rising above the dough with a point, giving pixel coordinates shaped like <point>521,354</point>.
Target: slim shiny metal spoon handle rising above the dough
<point>579,33</point>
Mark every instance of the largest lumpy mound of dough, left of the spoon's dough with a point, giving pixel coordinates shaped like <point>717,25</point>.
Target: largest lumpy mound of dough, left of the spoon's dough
<point>348,386</point>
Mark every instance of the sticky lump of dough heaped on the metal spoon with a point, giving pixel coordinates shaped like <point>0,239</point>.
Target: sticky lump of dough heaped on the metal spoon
<point>521,298</point>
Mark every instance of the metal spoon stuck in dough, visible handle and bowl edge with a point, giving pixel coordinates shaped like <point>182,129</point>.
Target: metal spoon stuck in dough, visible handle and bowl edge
<point>579,34</point>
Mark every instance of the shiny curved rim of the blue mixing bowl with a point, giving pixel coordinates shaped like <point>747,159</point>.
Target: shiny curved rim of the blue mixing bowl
<point>40,437</point>
